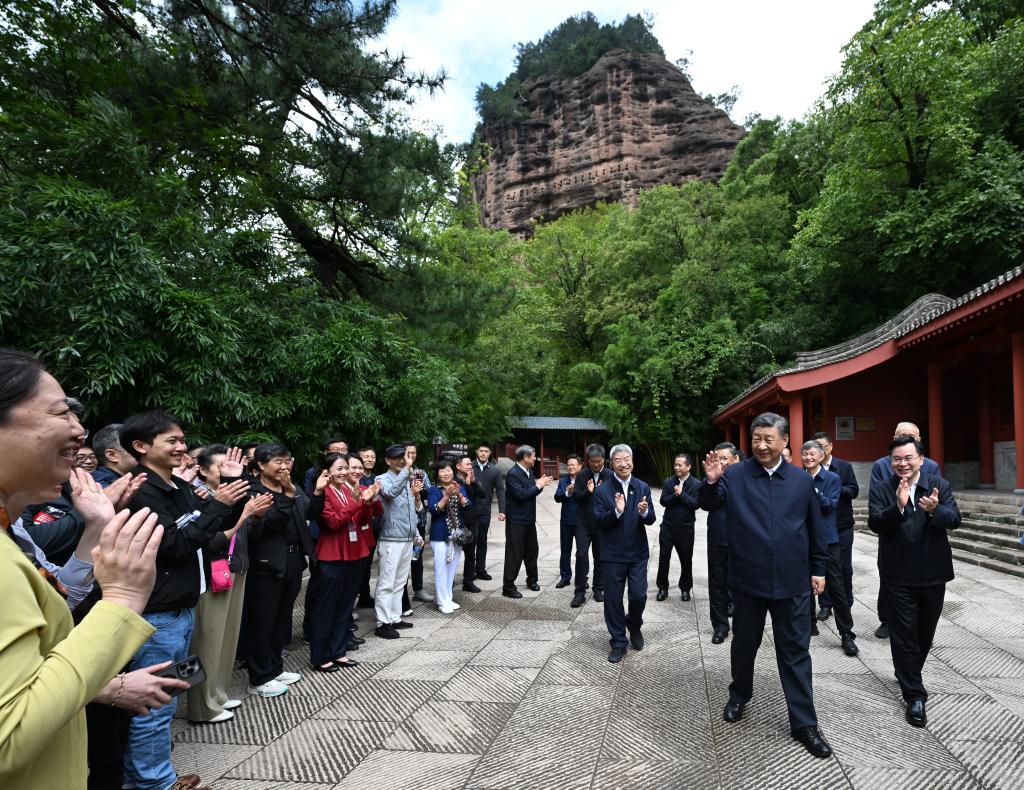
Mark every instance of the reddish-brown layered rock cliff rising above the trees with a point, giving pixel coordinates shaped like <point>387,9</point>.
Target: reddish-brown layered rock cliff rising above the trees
<point>633,121</point>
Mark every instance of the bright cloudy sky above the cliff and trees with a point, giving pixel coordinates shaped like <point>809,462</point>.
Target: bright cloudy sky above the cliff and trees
<point>780,54</point>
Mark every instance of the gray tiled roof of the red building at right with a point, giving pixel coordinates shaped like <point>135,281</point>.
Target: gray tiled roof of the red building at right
<point>922,312</point>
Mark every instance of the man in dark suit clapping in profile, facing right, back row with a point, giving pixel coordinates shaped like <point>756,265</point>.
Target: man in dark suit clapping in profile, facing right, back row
<point>522,548</point>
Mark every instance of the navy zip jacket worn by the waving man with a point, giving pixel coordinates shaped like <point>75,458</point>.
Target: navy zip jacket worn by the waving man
<point>777,535</point>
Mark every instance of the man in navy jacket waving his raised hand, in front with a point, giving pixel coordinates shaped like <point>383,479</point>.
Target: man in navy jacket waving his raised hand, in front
<point>778,557</point>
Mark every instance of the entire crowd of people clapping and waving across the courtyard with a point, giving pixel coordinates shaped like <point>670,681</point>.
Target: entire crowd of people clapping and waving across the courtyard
<point>139,568</point>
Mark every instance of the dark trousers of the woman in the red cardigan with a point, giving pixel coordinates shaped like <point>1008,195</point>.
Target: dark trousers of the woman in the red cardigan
<point>339,586</point>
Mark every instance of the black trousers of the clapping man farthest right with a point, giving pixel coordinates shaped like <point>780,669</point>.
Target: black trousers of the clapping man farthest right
<point>914,615</point>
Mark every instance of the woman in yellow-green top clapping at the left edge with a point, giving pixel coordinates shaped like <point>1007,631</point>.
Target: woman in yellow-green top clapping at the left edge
<point>49,669</point>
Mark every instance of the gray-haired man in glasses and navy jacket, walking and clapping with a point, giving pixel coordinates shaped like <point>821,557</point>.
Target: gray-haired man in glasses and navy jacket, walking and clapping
<point>622,509</point>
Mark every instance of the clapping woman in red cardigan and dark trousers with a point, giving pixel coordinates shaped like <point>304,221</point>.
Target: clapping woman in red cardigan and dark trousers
<point>345,511</point>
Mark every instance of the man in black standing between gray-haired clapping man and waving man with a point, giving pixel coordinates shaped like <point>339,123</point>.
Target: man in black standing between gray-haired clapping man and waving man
<point>679,498</point>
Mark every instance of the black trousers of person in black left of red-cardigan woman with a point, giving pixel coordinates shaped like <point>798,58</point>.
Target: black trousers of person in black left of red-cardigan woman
<point>270,601</point>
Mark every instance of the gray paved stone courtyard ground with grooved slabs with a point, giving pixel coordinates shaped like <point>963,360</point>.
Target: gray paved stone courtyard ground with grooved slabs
<point>520,694</point>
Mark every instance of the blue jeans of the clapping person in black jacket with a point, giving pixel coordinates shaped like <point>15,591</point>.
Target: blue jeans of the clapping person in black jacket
<point>148,760</point>
